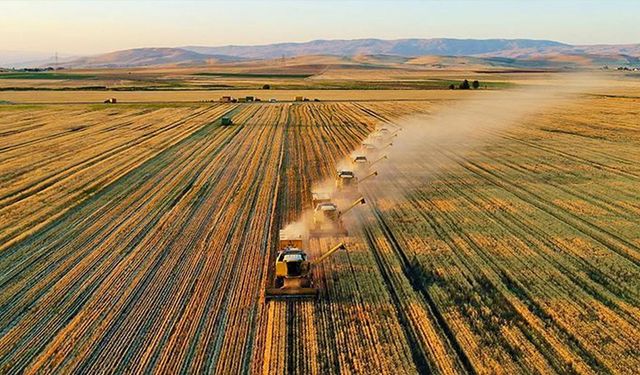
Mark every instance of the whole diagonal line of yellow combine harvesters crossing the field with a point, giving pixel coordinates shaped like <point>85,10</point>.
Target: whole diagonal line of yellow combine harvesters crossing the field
<point>293,266</point>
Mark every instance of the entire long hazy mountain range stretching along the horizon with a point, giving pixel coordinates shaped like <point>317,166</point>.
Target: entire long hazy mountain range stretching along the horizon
<point>516,53</point>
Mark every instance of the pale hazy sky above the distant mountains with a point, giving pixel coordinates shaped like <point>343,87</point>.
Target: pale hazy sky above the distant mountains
<point>81,27</point>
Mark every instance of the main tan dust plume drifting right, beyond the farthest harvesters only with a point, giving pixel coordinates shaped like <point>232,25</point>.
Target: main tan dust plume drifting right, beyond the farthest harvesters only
<point>460,127</point>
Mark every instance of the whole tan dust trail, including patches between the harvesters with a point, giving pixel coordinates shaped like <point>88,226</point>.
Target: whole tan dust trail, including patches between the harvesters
<point>399,151</point>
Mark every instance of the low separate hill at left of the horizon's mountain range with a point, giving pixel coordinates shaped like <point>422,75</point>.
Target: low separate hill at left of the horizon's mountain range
<point>148,57</point>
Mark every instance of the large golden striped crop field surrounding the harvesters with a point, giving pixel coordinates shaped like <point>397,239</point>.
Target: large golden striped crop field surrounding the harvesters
<point>141,239</point>
